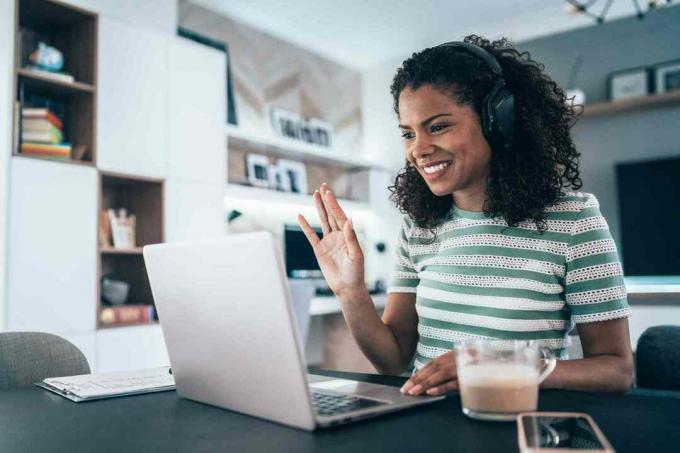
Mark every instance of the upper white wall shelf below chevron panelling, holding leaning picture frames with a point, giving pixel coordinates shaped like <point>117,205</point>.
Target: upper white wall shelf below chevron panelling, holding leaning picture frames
<point>295,149</point>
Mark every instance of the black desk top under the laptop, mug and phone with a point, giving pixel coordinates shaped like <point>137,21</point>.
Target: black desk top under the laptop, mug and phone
<point>33,420</point>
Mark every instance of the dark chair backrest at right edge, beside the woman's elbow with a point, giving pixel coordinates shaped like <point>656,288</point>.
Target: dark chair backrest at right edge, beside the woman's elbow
<point>658,358</point>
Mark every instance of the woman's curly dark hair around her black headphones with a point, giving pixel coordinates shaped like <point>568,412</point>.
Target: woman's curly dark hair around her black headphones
<point>543,160</point>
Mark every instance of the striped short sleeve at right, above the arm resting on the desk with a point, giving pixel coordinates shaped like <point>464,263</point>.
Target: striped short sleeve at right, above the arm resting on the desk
<point>595,288</point>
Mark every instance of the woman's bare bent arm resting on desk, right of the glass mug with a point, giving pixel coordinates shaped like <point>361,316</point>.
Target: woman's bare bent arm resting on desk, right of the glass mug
<point>607,365</point>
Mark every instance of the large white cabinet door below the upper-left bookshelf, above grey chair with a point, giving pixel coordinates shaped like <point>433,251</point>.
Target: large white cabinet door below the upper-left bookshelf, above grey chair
<point>52,246</point>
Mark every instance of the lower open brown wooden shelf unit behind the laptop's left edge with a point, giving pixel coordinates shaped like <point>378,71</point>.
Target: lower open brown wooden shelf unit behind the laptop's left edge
<point>144,198</point>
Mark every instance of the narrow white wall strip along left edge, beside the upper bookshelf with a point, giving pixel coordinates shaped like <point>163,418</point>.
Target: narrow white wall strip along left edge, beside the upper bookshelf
<point>6,80</point>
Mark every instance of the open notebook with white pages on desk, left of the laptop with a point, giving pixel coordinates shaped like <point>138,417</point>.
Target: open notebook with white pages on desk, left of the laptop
<point>88,387</point>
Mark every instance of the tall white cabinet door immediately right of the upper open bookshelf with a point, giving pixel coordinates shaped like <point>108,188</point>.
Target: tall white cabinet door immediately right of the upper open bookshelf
<point>131,100</point>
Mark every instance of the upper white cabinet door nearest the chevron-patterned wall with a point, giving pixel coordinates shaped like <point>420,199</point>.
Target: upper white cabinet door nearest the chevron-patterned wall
<point>196,112</point>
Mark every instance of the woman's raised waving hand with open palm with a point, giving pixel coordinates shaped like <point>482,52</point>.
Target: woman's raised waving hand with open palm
<point>338,252</point>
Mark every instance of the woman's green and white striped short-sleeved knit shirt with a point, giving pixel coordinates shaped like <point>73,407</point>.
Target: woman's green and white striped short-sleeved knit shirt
<point>483,279</point>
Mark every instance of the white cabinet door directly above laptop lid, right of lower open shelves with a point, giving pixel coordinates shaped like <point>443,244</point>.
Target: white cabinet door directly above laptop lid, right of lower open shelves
<point>194,211</point>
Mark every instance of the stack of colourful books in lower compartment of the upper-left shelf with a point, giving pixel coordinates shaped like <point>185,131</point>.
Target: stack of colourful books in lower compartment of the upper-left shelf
<point>41,134</point>
